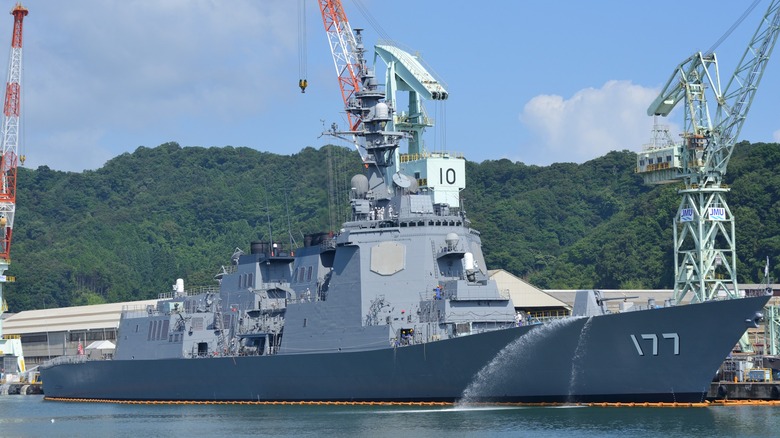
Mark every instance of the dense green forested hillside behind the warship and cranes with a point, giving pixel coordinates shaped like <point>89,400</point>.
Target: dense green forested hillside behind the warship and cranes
<point>129,229</point>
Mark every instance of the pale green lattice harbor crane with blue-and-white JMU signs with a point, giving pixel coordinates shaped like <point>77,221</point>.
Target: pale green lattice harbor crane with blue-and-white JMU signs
<point>704,242</point>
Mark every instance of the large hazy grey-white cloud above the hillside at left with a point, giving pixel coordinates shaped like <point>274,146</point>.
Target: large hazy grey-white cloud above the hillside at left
<point>101,78</point>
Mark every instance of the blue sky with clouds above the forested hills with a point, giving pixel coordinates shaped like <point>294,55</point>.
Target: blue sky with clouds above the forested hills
<point>535,81</point>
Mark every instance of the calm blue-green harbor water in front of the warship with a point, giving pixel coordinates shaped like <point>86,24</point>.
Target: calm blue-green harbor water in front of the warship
<point>31,416</point>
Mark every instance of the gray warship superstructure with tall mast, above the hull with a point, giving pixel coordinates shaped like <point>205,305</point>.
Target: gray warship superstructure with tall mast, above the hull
<point>356,290</point>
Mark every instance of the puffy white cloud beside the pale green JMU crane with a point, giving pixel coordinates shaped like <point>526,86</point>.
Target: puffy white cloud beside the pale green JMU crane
<point>588,125</point>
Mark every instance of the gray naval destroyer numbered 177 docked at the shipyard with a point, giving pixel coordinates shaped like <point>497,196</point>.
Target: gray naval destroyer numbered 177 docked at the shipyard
<point>396,306</point>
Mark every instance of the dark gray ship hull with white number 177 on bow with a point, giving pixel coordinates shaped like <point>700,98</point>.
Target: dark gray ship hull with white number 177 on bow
<point>661,355</point>
